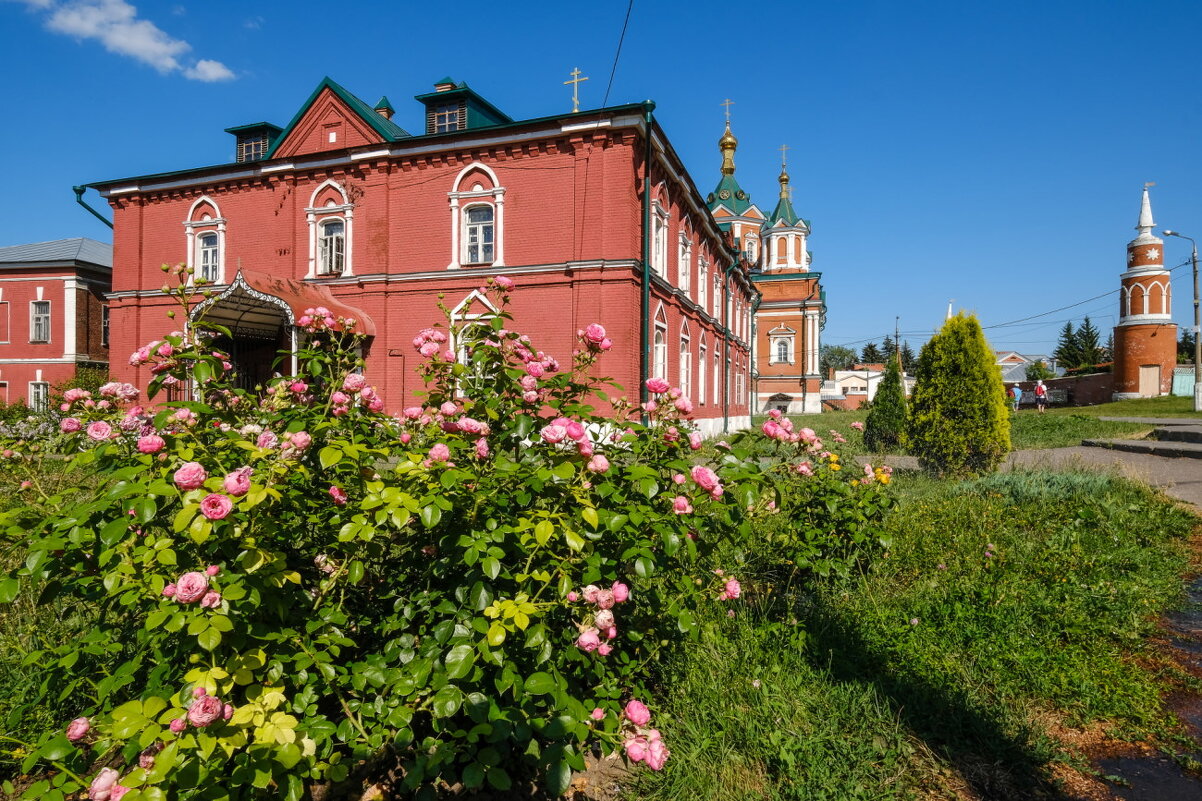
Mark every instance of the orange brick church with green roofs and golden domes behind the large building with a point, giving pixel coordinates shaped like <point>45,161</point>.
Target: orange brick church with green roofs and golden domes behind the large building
<point>786,322</point>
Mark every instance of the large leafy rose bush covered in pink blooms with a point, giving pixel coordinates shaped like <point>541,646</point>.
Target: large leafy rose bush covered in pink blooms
<point>295,590</point>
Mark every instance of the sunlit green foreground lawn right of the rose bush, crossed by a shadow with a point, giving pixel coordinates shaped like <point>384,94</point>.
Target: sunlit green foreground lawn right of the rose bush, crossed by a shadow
<point>1003,602</point>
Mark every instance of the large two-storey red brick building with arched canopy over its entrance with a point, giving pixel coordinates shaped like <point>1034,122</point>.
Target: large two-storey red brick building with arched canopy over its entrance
<point>344,206</point>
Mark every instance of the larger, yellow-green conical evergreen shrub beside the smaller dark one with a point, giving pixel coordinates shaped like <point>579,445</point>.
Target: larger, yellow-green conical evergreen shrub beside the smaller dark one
<point>959,419</point>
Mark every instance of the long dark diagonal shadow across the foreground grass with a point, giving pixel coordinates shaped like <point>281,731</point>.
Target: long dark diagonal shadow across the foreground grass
<point>996,764</point>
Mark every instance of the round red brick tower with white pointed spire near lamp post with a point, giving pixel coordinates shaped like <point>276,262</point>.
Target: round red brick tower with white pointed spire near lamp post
<point>1146,337</point>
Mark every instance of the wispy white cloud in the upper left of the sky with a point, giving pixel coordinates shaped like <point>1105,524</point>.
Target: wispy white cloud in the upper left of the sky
<point>116,25</point>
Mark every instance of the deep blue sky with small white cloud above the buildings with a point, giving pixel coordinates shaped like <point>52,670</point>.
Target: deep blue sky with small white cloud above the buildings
<point>990,153</point>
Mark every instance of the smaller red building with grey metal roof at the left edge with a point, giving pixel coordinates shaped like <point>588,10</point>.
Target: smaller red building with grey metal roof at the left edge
<point>53,316</point>
